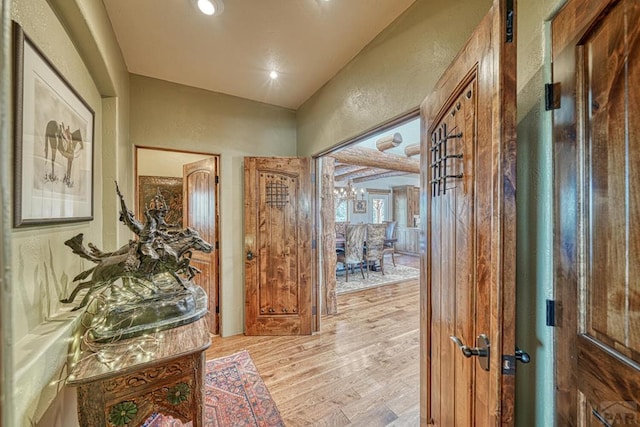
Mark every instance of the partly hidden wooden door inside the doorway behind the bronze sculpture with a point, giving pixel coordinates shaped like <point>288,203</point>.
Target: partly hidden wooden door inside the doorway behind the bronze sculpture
<point>200,212</point>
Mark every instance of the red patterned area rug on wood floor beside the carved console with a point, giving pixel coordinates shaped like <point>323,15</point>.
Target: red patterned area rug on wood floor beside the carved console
<point>235,396</point>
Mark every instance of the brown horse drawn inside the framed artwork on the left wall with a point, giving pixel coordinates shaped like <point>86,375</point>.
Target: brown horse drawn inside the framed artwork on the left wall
<point>60,139</point>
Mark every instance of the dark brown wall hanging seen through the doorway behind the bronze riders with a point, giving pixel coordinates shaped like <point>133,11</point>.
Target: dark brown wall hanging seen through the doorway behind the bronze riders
<point>170,188</point>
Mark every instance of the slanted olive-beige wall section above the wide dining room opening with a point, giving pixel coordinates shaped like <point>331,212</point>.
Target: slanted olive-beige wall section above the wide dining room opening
<point>391,75</point>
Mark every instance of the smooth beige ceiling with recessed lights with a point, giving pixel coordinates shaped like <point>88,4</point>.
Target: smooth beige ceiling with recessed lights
<point>306,41</point>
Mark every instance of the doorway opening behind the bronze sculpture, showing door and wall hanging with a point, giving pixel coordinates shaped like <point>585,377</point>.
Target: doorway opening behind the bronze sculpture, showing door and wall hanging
<point>188,181</point>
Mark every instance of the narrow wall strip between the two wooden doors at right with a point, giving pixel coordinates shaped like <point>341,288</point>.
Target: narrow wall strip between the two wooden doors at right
<point>535,393</point>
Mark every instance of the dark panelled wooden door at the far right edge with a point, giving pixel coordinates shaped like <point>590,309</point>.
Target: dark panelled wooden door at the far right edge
<point>596,68</point>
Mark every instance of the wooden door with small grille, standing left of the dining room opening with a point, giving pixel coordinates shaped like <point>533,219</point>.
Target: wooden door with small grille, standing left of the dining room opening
<point>277,229</point>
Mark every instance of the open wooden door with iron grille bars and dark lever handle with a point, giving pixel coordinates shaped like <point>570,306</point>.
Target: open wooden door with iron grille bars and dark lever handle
<point>468,184</point>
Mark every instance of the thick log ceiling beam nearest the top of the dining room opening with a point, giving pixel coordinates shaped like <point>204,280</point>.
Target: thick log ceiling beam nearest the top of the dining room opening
<point>375,159</point>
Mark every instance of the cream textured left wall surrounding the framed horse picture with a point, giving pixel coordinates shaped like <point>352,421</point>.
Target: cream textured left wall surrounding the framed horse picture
<point>42,267</point>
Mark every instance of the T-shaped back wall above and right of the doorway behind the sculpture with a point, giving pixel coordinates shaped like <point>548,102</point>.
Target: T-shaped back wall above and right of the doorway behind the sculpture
<point>208,122</point>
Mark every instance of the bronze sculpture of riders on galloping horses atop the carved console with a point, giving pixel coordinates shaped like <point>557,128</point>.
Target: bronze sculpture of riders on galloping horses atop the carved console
<point>154,252</point>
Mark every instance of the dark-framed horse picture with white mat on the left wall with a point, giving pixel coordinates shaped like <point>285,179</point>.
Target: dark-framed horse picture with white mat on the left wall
<point>53,142</point>
